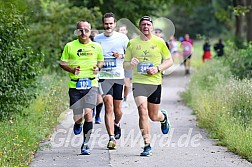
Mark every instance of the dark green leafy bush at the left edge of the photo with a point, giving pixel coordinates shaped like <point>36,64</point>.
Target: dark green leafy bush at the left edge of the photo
<point>19,63</point>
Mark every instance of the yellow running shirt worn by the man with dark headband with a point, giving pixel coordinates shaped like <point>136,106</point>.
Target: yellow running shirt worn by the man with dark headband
<point>149,53</point>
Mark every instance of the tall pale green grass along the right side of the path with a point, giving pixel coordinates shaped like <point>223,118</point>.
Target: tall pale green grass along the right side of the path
<point>223,106</point>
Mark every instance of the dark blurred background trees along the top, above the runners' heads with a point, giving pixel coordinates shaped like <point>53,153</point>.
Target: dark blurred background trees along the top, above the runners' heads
<point>198,16</point>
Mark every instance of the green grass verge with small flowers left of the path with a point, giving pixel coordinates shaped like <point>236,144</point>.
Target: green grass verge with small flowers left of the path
<point>24,131</point>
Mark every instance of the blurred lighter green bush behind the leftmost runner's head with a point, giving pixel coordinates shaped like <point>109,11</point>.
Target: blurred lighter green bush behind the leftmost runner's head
<point>53,25</point>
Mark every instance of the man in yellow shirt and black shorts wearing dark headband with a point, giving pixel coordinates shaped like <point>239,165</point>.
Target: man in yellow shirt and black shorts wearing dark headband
<point>148,56</point>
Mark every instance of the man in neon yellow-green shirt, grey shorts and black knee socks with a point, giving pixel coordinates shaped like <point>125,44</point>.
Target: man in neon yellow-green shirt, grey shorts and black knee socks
<point>82,58</point>
